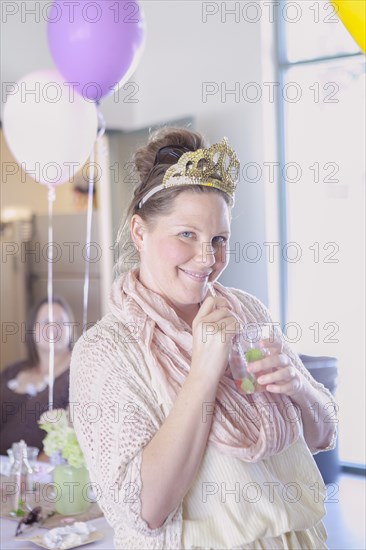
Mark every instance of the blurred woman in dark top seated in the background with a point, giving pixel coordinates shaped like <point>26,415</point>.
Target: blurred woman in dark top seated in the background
<point>24,385</point>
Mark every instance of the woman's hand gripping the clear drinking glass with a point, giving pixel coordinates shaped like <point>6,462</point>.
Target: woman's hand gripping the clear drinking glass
<point>276,372</point>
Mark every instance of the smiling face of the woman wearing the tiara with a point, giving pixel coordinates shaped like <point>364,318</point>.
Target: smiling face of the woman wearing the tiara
<point>192,240</point>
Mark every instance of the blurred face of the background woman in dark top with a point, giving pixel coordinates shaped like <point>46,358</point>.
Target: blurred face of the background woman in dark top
<point>59,331</point>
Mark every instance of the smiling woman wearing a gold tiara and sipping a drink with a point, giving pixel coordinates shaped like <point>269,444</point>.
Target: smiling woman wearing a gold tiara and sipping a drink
<point>181,458</point>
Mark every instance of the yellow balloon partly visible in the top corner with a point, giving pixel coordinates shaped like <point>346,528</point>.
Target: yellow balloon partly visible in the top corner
<point>353,15</point>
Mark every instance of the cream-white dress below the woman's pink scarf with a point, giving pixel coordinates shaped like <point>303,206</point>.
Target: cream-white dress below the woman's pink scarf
<point>274,503</point>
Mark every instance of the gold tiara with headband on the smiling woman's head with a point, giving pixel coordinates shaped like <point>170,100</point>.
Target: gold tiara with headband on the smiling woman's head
<point>216,167</point>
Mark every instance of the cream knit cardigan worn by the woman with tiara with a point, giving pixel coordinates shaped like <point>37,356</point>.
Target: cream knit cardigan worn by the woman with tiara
<point>116,413</point>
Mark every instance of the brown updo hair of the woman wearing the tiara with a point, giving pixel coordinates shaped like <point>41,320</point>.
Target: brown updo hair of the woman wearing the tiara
<point>150,176</point>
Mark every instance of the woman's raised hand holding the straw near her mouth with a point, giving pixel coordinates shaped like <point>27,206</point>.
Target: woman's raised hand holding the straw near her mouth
<point>213,329</point>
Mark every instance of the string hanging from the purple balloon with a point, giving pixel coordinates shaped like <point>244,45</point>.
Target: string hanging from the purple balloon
<point>91,177</point>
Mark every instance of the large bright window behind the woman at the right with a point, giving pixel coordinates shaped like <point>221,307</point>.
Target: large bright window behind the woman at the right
<point>322,201</point>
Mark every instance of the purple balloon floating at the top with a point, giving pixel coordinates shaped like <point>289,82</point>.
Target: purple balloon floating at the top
<point>96,45</point>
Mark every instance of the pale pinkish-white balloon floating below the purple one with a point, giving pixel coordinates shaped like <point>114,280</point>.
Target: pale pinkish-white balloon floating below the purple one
<point>49,128</point>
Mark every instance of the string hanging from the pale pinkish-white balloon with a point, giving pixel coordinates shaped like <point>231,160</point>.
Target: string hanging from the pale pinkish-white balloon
<point>51,341</point>
